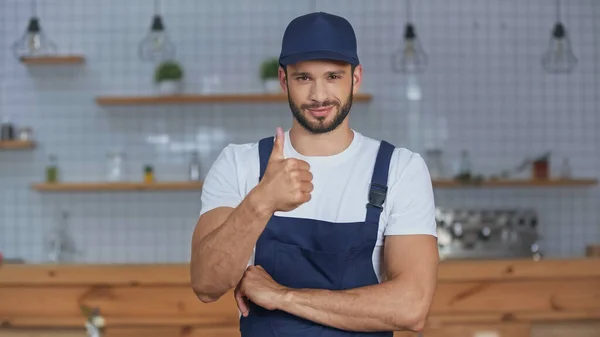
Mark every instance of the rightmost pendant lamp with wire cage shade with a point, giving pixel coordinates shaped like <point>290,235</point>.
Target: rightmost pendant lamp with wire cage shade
<point>559,57</point>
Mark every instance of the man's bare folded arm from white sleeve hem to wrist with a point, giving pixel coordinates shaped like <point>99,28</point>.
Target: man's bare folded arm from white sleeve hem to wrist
<point>401,302</point>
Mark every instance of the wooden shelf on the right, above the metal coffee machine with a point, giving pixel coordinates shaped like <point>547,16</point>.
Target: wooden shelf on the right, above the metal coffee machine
<point>517,183</point>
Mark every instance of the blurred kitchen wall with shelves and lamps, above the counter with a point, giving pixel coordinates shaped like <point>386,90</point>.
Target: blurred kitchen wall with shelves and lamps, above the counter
<point>113,111</point>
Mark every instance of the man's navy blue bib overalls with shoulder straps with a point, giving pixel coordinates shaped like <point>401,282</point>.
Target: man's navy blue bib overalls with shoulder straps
<point>308,253</point>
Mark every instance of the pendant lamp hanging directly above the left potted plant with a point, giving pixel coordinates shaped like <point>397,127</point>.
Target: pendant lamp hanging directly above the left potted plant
<point>156,46</point>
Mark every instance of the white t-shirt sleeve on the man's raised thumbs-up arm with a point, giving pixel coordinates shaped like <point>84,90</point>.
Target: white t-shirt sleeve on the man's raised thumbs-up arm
<point>221,186</point>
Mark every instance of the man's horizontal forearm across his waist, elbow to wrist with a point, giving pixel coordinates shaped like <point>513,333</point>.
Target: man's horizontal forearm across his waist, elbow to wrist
<point>389,306</point>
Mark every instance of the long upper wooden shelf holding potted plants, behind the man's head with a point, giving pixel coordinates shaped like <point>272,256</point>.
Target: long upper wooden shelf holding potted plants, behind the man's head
<point>192,99</point>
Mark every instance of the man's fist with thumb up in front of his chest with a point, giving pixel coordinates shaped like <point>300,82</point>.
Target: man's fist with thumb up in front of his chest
<point>287,183</point>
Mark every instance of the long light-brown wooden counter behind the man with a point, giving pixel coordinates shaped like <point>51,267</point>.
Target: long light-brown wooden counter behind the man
<point>506,298</point>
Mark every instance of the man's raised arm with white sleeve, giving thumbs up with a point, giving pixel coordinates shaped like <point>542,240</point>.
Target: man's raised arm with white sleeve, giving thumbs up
<point>217,265</point>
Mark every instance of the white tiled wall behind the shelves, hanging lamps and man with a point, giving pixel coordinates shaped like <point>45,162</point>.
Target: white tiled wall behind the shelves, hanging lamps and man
<point>484,91</point>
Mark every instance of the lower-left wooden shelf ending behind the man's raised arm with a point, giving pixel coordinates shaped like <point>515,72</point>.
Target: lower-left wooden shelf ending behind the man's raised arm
<point>118,186</point>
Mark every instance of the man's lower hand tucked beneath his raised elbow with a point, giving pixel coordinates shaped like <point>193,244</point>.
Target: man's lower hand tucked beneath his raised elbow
<point>258,287</point>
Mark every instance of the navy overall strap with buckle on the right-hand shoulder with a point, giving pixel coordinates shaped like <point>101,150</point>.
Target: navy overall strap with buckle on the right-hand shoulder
<point>378,189</point>
